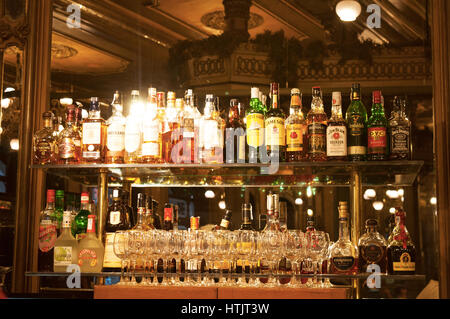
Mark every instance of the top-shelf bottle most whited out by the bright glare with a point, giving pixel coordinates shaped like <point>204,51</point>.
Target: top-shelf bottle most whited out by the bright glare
<point>133,128</point>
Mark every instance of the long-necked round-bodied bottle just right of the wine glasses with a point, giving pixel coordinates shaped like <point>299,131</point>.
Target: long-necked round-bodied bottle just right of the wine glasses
<point>343,253</point>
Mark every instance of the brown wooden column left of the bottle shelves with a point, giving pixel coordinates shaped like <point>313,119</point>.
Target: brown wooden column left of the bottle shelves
<point>30,183</point>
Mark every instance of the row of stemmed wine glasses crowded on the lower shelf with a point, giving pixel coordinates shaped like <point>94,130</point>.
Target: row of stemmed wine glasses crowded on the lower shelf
<point>225,258</point>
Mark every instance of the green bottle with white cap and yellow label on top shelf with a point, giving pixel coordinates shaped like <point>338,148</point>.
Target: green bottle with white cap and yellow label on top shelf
<point>255,126</point>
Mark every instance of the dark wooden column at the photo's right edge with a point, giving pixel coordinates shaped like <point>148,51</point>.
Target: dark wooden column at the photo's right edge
<point>441,104</point>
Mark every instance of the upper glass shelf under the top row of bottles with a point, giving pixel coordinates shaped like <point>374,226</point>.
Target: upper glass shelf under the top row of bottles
<point>385,173</point>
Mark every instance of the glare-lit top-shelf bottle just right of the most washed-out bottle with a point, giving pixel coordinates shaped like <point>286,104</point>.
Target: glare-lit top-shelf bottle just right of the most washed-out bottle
<point>151,134</point>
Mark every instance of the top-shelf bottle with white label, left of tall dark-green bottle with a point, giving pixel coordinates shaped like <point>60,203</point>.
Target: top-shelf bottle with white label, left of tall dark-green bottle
<point>336,131</point>
